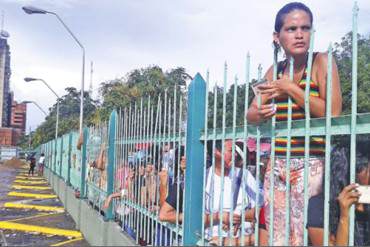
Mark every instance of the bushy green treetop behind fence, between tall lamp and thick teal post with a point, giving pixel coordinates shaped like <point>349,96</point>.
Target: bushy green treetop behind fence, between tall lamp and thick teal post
<point>140,84</point>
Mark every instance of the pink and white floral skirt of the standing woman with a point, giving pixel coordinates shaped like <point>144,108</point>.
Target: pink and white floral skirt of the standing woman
<point>315,179</point>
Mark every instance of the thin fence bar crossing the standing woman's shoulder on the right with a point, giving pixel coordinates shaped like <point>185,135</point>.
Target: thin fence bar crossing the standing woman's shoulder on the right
<point>327,146</point>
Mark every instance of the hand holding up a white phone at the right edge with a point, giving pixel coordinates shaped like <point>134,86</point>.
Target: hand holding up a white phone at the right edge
<point>347,197</point>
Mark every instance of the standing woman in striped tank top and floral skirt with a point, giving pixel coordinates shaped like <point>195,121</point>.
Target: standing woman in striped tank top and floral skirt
<point>293,24</point>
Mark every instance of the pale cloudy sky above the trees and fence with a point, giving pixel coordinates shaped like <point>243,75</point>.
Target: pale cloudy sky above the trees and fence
<point>122,35</point>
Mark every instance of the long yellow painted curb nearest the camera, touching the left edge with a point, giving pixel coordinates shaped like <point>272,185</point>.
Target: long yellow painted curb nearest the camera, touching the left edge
<point>41,229</point>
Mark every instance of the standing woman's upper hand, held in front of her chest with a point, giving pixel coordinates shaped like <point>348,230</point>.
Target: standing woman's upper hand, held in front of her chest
<point>276,88</point>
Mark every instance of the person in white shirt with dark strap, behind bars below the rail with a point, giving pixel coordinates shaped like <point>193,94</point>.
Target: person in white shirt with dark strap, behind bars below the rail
<point>220,202</point>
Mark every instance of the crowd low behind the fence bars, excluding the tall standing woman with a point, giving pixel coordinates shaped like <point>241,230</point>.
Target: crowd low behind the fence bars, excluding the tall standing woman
<point>154,176</point>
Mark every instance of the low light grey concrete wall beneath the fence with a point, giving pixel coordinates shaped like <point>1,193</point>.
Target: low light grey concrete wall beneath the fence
<point>95,230</point>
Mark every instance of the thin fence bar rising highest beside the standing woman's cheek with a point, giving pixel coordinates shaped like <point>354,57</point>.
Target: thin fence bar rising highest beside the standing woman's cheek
<point>307,137</point>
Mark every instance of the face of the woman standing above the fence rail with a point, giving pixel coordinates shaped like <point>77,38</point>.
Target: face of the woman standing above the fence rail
<point>294,35</point>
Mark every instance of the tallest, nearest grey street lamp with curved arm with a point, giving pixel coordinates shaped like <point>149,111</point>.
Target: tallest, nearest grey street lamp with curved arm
<point>33,10</point>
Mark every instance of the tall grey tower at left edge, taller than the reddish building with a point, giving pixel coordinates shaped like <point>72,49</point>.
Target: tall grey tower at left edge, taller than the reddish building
<point>5,95</point>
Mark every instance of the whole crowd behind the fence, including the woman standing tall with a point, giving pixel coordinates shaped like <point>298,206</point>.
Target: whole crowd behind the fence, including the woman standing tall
<point>154,178</point>
